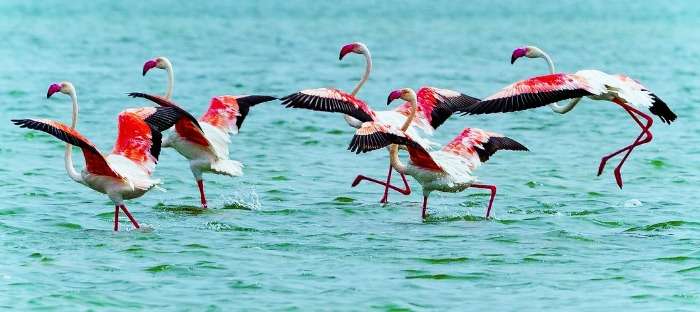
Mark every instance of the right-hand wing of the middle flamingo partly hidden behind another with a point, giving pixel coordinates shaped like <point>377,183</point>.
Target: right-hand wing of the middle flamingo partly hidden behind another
<point>439,104</point>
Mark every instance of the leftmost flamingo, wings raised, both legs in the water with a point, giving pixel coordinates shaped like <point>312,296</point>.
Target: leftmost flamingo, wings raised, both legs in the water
<point>126,172</point>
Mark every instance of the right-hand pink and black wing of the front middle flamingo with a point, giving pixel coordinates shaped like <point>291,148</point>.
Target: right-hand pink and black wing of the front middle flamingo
<point>477,145</point>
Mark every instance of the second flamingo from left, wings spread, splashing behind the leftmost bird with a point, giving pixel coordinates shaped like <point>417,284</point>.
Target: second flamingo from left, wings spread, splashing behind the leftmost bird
<point>205,147</point>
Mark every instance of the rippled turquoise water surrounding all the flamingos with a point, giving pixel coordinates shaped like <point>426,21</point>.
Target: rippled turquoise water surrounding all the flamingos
<point>291,234</point>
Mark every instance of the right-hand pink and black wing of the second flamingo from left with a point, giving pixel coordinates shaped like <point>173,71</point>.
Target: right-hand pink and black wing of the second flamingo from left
<point>227,112</point>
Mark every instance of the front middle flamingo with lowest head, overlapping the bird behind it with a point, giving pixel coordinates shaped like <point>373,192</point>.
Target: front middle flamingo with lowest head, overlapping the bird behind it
<point>447,170</point>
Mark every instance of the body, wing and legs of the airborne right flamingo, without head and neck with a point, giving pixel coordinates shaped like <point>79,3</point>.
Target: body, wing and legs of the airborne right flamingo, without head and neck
<point>596,85</point>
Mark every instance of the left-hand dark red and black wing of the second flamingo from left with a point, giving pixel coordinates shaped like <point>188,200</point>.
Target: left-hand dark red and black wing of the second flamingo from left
<point>186,126</point>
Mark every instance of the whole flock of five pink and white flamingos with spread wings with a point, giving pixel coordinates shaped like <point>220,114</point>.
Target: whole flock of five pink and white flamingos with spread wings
<point>127,171</point>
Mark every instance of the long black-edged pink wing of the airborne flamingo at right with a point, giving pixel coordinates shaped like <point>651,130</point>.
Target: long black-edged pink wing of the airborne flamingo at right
<point>535,92</point>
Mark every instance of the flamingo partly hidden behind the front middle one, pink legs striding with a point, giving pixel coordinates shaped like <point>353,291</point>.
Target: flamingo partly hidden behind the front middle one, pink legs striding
<point>435,106</point>
